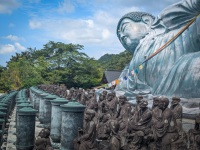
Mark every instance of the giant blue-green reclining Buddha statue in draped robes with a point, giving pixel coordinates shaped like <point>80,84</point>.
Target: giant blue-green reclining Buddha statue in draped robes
<point>173,71</point>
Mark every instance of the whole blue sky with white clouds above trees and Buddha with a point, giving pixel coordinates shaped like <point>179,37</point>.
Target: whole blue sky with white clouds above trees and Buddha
<point>91,23</point>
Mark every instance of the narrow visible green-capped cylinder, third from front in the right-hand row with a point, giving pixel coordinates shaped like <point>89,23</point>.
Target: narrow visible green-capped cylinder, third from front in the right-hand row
<point>47,110</point>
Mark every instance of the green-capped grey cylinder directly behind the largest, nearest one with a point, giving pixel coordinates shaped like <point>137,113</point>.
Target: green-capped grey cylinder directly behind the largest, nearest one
<point>56,118</point>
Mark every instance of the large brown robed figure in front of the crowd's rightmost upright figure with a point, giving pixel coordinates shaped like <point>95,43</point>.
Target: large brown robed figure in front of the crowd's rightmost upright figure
<point>165,128</point>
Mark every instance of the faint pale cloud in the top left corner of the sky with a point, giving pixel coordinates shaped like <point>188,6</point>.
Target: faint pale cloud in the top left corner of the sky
<point>7,6</point>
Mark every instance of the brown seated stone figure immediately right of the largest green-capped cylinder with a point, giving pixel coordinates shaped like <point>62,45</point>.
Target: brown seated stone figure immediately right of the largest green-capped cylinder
<point>86,139</point>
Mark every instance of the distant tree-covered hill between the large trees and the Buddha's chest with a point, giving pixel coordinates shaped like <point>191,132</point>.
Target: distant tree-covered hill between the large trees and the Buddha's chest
<point>115,61</point>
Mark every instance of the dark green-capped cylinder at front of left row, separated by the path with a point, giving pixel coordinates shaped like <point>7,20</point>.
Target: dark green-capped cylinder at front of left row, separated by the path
<point>26,128</point>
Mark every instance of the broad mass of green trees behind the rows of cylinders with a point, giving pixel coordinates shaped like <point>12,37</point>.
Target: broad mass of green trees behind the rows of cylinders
<point>55,63</point>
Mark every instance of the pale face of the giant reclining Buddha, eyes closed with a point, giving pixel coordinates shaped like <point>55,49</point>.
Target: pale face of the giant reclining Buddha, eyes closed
<point>130,33</point>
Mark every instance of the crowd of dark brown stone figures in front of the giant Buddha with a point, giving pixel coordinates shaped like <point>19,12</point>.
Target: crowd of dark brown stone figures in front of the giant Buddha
<point>112,123</point>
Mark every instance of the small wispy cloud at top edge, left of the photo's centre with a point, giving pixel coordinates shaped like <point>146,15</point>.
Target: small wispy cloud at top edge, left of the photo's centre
<point>66,7</point>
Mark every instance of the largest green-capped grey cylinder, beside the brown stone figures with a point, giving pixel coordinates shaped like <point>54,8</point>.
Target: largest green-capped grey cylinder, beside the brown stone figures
<point>72,119</point>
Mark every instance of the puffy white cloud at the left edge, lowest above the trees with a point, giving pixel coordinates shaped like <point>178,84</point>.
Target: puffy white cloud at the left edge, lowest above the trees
<point>10,48</point>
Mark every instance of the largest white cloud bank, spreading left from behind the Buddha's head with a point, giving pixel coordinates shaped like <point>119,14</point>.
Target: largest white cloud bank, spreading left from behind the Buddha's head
<point>96,30</point>
